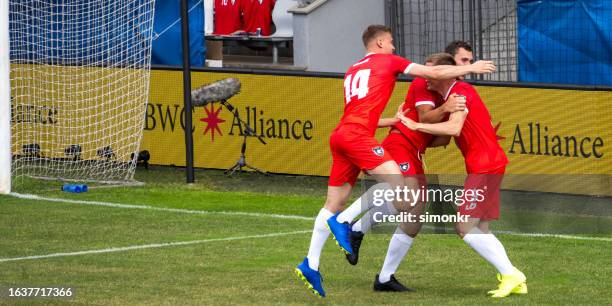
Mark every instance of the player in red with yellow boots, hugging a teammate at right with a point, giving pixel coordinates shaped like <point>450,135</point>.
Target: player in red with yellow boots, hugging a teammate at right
<point>485,163</point>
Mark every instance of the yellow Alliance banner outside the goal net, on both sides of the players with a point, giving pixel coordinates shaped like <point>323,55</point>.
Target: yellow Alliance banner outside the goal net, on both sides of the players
<point>543,131</point>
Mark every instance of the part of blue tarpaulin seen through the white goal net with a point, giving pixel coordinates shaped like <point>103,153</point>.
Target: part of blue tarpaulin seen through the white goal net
<point>79,33</point>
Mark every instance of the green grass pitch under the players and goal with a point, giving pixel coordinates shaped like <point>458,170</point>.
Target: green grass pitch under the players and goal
<point>219,264</point>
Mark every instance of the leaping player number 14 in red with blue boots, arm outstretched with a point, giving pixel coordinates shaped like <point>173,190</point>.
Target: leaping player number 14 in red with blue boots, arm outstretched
<point>368,85</point>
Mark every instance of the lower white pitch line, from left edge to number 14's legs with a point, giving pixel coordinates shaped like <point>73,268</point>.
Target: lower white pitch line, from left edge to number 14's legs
<point>149,246</point>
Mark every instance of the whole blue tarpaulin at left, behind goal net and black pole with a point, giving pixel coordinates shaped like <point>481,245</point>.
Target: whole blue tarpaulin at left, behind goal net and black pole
<point>68,35</point>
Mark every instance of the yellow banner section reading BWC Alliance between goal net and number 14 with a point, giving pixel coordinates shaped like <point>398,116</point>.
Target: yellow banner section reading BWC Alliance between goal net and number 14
<point>294,116</point>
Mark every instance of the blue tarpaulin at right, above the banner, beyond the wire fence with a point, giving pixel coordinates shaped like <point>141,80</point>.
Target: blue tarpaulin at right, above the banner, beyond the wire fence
<point>566,42</point>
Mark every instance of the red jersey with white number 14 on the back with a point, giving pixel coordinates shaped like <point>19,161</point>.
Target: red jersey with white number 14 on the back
<point>368,85</point>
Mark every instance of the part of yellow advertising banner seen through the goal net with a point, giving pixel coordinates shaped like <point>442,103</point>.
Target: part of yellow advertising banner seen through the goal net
<point>57,108</point>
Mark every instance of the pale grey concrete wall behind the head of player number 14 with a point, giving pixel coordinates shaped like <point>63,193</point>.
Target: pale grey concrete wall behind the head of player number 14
<point>328,38</point>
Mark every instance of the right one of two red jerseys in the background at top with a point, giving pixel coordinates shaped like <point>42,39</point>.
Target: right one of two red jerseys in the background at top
<point>258,14</point>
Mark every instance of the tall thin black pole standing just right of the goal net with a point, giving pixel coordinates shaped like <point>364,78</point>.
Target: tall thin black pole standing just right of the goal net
<point>187,92</point>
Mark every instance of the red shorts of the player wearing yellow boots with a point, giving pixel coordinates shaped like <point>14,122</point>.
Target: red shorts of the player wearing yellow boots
<point>486,205</point>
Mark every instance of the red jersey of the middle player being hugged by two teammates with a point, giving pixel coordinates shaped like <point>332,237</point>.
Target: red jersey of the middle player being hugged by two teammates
<point>418,95</point>
